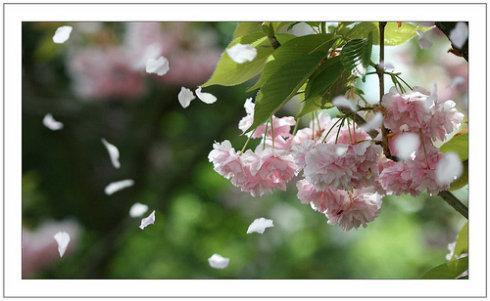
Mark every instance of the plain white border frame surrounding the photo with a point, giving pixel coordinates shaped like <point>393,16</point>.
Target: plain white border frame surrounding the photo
<point>14,14</point>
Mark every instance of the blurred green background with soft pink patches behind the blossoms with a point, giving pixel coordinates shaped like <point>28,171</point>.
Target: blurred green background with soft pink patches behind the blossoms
<point>164,149</point>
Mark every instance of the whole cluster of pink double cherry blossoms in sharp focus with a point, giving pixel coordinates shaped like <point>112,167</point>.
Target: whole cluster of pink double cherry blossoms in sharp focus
<point>345,171</point>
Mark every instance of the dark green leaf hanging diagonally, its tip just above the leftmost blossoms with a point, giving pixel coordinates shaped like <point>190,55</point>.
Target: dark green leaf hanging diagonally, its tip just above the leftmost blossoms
<point>283,84</point>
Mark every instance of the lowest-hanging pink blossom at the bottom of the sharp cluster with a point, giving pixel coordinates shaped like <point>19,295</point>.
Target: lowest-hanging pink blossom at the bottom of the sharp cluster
<point>354,209</point>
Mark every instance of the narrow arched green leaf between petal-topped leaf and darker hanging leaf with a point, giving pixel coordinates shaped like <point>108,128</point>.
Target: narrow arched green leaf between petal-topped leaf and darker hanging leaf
<point>292,50</point>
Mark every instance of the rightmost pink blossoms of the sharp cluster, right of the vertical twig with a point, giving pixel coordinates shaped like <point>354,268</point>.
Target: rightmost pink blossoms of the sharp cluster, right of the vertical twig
<point>423,115</point>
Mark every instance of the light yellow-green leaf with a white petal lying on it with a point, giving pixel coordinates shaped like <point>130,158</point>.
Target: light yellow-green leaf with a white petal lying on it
<point>230,73</point>
